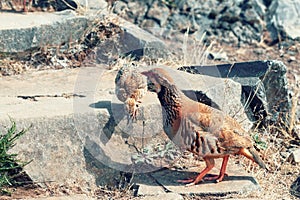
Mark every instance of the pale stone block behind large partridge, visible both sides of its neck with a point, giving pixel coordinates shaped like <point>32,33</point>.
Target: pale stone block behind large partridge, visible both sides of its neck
<point>221,93</point>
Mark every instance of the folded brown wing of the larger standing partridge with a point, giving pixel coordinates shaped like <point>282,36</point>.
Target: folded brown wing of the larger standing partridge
<point>219,134</point>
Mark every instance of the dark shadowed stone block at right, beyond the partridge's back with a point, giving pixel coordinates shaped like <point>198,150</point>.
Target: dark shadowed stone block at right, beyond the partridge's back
<point>264,87</point>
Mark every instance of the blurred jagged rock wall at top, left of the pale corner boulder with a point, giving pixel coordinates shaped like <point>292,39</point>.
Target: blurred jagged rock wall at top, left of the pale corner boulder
<point>229,20</point>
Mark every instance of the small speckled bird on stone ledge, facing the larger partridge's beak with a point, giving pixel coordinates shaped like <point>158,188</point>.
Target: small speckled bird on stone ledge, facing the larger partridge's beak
<point>131,86</point>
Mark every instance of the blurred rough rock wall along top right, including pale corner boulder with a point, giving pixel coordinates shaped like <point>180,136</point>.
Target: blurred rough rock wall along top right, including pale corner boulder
<point>230,21</point>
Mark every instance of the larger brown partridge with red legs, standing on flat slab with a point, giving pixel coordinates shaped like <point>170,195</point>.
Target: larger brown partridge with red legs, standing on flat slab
<point>200,129</point>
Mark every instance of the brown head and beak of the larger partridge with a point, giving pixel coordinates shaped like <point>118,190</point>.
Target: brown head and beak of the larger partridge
<point>158,77</point>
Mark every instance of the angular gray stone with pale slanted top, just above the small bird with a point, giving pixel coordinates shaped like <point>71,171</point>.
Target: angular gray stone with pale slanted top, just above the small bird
<point>131,41</point>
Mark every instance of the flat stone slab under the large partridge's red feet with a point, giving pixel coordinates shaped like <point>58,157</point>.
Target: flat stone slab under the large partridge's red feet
<point>237,181</point>
